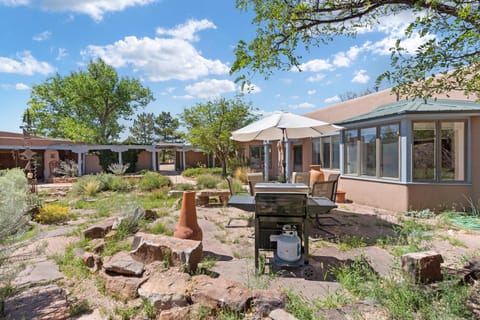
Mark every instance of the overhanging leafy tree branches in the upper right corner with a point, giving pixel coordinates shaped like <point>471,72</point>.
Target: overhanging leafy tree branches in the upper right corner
<point>450,30</point>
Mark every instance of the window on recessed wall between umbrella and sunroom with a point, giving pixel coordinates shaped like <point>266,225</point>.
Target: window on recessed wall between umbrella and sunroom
<point>326,152</point>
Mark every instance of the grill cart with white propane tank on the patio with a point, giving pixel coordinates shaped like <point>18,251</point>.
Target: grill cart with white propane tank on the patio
<point>281,225</point>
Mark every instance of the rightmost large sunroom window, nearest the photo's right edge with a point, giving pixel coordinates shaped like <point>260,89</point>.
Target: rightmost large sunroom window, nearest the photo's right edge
<point>438,151</point>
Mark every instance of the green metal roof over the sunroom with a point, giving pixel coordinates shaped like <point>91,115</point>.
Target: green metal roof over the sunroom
<point>416,106</point>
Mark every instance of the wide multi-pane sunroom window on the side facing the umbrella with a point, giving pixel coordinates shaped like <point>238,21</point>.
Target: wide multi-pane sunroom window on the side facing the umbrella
<point>373,151</point>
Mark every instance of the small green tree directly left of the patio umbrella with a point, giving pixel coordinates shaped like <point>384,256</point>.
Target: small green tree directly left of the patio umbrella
<point>209,126</point>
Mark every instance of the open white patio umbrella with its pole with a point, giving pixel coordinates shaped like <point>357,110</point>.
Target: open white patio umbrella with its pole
<point>282,125</point>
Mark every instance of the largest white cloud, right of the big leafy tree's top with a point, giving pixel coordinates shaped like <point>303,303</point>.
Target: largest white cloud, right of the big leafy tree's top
<point>162,59</point>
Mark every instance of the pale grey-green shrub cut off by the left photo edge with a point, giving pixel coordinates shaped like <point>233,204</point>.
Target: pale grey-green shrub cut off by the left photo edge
<point>15,200</point>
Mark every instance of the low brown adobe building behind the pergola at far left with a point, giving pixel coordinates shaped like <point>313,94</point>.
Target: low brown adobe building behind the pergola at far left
<point>48,152</point>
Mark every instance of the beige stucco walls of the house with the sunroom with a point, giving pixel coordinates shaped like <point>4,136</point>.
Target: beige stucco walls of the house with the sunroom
<point>396,194</point>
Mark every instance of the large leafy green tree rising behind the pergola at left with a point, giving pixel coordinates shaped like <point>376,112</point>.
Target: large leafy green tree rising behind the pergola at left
<point>87,105</point>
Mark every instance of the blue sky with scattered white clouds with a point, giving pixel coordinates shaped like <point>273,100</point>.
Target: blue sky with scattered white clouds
<point>181,50</point>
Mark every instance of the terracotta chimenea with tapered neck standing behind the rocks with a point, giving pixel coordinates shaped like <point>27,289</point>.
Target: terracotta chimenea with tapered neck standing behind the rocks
<point>187,226</point>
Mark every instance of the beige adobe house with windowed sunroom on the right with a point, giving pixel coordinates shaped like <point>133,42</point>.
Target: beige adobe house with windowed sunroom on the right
<point>398,155</point>
